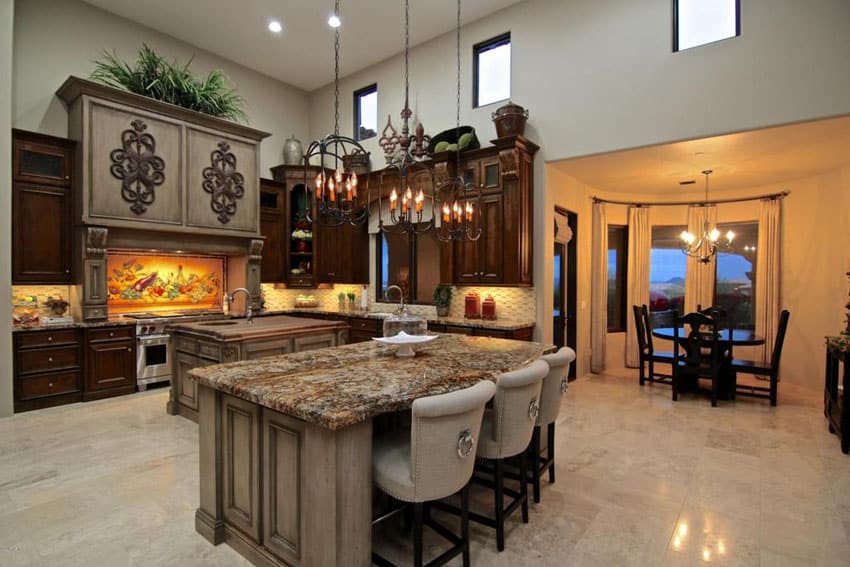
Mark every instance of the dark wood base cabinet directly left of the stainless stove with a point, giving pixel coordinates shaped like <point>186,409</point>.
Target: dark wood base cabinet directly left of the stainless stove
<point>110,362</point>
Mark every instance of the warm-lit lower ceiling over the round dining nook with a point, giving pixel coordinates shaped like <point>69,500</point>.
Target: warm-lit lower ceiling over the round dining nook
<point>739,161</point>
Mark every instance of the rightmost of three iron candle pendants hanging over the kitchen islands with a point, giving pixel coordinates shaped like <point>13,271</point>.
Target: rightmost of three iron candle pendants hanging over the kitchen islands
<point>458,199</point>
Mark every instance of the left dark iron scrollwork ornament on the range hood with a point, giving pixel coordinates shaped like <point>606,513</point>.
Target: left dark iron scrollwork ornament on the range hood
<point>138,167</point>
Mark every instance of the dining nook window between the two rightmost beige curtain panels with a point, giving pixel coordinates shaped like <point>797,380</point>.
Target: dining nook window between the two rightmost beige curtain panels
<point>736,274</point>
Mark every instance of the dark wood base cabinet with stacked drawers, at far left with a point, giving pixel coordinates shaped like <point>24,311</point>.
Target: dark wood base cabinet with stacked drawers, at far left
<point>47,368</point>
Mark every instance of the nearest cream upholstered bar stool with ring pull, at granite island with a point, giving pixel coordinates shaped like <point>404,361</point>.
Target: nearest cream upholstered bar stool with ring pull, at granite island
<point>434,461</point>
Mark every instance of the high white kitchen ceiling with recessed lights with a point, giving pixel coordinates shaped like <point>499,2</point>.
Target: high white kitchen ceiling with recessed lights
<point>302,55</point>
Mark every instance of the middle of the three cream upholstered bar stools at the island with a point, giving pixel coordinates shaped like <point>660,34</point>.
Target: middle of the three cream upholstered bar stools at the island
<point>506,432</point>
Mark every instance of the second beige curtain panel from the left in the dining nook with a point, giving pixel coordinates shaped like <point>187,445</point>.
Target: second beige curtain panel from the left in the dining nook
<point>640,243</point>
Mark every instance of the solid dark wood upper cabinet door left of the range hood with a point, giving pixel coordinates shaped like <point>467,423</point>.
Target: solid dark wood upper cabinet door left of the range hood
<point>41,234</point>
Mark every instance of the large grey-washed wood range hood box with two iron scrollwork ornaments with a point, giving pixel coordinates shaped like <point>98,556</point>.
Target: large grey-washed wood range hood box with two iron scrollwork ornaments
<point>145,162</point>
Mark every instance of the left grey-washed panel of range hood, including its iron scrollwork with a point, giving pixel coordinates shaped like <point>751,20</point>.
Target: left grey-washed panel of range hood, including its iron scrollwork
<point>114,131</point>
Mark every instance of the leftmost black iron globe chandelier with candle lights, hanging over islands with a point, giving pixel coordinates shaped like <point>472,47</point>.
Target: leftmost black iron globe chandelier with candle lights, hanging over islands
<point>334,197</point>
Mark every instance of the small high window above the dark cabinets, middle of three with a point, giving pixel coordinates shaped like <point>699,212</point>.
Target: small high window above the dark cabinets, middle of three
<point>491,71</point>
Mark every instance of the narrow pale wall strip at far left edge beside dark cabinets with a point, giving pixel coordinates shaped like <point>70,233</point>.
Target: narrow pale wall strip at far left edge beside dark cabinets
<point>6,19</point>
